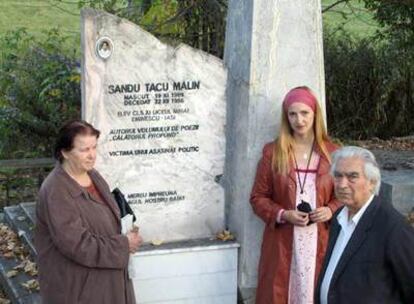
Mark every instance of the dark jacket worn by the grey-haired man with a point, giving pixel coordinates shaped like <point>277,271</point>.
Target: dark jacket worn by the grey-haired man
<point>377,265</point>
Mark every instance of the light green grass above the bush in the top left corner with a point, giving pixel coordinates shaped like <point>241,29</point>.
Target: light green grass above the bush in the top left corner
<point>38,16</point>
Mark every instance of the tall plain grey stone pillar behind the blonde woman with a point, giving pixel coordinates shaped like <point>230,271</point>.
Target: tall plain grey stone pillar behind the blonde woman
<point>271,47</point>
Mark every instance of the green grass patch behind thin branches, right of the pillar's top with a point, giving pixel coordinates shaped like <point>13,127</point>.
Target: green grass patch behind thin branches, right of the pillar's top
<point>353,18</point>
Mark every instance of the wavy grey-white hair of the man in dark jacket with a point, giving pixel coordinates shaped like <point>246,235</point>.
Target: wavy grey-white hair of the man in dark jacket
<point>371,169</point>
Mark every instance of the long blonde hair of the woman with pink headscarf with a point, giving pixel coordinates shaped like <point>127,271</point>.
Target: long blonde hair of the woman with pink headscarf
<point>283,148</point>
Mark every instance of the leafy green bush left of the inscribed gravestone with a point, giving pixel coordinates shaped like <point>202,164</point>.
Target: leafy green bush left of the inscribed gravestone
<point>39,89</point>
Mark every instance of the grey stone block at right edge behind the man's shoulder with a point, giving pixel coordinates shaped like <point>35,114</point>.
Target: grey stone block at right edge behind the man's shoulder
<point>398,188</point>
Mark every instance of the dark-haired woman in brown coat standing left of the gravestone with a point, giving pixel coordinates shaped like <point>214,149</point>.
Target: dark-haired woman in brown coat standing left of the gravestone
<point>82,255</point>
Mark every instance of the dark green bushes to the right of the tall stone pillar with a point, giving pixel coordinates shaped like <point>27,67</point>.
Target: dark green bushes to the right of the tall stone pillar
<point>369,88</point>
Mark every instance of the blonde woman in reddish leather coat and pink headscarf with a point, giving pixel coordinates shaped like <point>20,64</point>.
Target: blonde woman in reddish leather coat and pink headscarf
<point>293,195</point>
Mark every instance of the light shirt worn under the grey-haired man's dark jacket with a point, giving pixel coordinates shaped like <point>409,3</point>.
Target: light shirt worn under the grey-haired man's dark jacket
<point>347,228</point>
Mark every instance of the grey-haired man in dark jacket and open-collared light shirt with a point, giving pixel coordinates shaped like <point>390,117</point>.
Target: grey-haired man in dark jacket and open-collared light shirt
<point>370,255</point>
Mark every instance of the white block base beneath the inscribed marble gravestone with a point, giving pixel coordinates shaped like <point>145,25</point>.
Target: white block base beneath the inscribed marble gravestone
<point>193,271</point>
